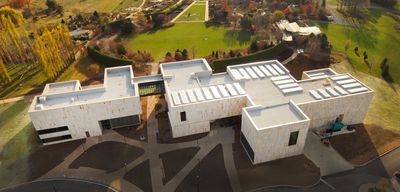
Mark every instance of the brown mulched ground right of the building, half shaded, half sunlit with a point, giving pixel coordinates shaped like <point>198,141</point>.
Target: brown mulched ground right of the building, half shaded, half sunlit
<point>364,146</point>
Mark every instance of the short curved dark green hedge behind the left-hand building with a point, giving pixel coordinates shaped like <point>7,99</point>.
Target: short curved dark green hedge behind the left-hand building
<point>107,60</point>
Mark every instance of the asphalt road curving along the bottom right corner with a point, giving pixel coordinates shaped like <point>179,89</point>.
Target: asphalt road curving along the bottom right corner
<point>373,172</point>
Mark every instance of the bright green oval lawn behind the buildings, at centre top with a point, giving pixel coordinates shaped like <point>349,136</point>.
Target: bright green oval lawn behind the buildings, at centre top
<point>195,37</point>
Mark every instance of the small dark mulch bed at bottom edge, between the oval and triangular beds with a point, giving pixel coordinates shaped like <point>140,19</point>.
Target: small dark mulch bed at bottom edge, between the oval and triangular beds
<point>140,176</point>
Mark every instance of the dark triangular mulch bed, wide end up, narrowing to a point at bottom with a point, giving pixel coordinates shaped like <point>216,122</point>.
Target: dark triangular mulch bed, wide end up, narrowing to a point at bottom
<point>174,161</point>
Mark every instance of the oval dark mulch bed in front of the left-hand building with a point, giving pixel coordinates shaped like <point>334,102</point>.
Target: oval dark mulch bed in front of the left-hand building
<point>109,156</point>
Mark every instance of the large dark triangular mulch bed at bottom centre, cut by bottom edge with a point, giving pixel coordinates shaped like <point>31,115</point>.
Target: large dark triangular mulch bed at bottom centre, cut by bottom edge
<point>211,172</point>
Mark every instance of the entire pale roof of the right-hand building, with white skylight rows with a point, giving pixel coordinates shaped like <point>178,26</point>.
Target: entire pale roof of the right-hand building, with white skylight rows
<point>268,84</point>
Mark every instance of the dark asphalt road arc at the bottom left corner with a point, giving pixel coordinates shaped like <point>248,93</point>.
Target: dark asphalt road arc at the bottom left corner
<point>60,185</point>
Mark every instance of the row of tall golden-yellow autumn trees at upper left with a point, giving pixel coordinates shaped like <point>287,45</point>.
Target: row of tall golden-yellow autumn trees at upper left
<point>50,49</point>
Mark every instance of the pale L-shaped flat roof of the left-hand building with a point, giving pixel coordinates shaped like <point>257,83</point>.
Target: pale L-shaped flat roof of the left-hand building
<point>118,83</point>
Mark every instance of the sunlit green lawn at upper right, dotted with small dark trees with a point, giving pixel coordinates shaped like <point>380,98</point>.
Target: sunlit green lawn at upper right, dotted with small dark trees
<point>377,37</point>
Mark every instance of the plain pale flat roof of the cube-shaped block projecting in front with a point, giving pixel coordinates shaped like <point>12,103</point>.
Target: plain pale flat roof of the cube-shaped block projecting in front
<point>271,116</point>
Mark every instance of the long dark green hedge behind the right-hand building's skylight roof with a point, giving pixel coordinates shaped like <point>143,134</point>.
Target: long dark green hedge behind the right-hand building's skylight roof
<point>267,54</point>
